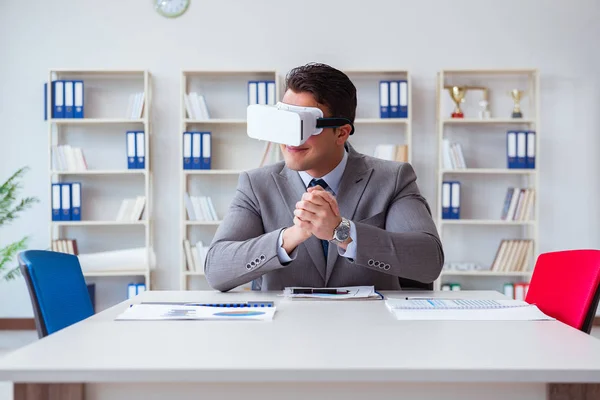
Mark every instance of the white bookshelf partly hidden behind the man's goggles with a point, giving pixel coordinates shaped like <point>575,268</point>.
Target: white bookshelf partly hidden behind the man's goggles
<point>226,97</point>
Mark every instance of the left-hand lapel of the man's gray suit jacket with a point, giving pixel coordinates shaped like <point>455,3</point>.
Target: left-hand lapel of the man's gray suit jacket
<point>292,188</point>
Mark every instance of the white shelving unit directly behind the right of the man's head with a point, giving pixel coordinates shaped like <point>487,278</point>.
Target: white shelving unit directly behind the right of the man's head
<point>372,130</point>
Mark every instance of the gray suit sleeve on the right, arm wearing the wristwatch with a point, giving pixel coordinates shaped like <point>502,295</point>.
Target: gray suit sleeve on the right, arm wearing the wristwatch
<point>409,246</point>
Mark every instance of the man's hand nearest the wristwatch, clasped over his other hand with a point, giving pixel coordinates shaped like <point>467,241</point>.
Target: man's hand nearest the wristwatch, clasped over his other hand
<point>318,212</point>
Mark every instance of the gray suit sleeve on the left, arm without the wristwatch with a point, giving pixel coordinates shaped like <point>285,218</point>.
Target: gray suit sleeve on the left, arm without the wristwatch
<point>241,250</point>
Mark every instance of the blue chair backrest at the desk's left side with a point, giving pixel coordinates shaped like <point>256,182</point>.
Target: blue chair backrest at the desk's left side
<point>57,288</point>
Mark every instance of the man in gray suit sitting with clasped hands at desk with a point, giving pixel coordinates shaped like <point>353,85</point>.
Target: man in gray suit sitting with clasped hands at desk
<point>327,216</point>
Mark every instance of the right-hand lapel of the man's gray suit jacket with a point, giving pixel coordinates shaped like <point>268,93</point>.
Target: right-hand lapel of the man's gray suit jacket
<point>353,184</point>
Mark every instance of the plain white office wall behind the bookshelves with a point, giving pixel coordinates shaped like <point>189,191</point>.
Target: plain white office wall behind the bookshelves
<point>558,37</point>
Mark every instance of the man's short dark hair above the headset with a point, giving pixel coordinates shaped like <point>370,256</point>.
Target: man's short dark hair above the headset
<point>329,87</point>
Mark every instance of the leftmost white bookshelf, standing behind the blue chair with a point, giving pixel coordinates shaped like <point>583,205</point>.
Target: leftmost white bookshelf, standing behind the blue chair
<point>106,180</point>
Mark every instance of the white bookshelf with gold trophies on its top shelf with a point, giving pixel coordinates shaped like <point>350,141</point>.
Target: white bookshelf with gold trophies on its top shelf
<point>475,238</point>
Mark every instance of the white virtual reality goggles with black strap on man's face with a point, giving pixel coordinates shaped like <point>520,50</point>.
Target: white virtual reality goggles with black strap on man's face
<point>288,124</point>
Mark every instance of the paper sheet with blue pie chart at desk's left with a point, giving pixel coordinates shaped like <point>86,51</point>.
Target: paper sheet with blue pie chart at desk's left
<point>149,312</point>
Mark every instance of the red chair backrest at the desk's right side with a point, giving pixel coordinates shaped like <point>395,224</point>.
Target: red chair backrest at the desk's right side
<point>566,285</point>
